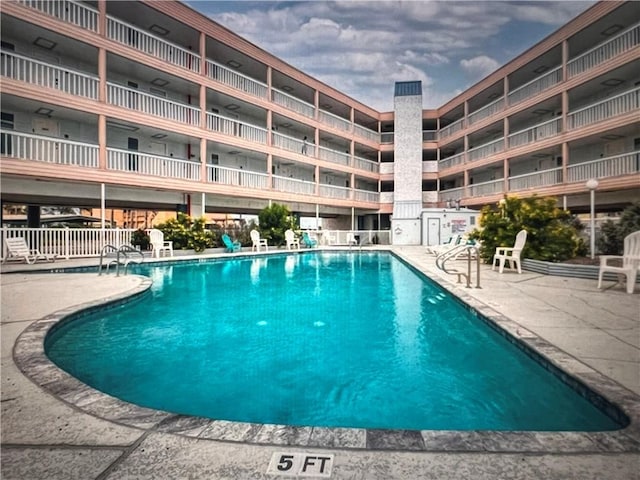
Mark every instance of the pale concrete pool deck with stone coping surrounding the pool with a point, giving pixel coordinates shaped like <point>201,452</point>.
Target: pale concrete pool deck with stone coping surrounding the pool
<point>54,428</point>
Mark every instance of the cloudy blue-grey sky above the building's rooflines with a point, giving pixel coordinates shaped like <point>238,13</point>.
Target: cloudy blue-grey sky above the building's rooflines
<point>363,48</point>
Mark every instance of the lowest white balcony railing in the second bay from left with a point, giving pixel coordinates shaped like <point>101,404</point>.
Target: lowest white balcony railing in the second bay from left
<point>146,164</point>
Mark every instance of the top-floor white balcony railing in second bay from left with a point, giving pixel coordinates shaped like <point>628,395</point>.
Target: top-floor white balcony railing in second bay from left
<point>145,42</point>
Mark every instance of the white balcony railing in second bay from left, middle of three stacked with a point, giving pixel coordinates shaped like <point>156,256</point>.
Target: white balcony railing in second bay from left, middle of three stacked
<point>150,104</point>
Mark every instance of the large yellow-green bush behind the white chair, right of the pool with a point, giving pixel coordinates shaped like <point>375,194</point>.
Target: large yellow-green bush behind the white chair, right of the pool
<point>551,233</point>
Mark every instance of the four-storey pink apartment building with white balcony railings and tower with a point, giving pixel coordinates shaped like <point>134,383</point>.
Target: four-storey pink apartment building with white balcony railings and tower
<point>151,105</point>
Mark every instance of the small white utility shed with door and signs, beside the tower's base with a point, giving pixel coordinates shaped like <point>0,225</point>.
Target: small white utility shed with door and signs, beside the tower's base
<point>438,224</point>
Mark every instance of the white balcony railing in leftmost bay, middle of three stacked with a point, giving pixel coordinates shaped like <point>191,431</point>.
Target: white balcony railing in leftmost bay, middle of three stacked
<point>46,75</point>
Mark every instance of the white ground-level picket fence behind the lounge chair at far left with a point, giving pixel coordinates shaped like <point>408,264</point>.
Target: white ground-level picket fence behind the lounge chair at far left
<point>69,242</point>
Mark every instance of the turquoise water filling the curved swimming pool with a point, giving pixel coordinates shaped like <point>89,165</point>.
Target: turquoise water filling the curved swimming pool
<point>333,339</point>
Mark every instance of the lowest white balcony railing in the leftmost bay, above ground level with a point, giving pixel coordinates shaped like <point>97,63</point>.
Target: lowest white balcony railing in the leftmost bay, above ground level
<point>48,149</point>
